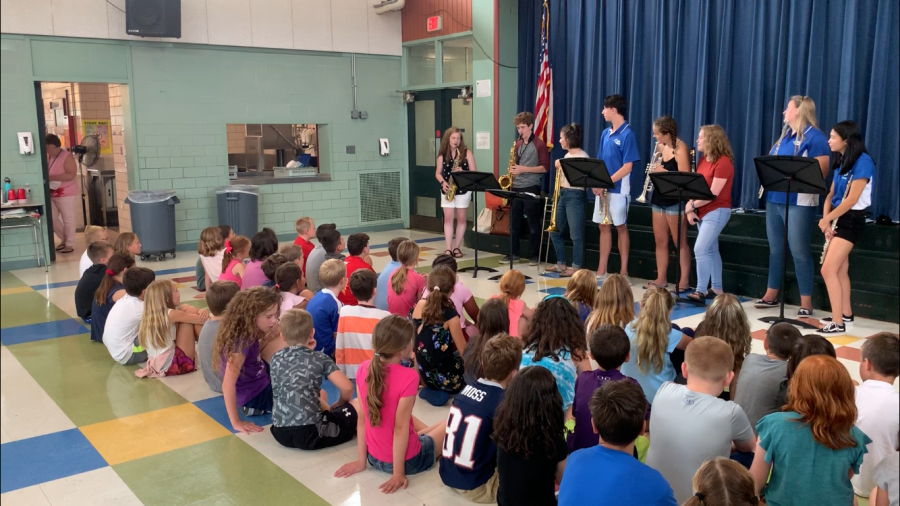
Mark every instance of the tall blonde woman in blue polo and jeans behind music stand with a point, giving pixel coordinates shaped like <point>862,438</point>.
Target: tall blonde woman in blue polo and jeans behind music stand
<point>800,137</point>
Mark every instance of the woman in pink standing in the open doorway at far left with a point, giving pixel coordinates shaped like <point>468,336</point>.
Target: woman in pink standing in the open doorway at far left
<point>63,192</point>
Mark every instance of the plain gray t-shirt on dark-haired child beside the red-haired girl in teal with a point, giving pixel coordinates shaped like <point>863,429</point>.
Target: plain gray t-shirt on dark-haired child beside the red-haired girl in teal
<point>758,384</point>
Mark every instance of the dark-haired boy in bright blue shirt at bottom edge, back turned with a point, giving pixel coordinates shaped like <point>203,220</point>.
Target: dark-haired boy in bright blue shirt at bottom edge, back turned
<point>609,469</point>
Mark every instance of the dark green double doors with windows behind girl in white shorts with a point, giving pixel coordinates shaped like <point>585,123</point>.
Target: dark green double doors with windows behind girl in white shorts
<point>428,117</point>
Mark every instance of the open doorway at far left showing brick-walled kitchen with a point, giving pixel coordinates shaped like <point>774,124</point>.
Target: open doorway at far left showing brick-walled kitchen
<point>88,120</point>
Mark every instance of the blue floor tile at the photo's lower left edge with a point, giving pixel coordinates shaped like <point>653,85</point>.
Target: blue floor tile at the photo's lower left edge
<point>45,458</point>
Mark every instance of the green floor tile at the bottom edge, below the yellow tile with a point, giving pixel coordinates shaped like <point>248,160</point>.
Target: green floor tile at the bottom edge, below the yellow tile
<point>223,471</point>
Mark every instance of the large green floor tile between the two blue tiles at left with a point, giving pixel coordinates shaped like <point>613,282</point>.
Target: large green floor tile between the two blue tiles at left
<point>87,384</point>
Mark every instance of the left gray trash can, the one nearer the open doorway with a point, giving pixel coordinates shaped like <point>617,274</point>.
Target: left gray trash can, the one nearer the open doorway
<point>153,220</point>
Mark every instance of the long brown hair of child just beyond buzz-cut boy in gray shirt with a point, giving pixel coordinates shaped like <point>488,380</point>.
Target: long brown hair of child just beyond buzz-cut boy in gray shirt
<point>725,319</point>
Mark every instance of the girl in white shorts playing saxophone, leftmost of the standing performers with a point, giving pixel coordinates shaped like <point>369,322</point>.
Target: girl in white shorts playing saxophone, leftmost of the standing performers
<point>454,157</point>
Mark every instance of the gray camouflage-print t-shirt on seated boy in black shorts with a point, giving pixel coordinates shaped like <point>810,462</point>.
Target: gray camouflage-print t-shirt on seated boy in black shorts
<point>297,374</point>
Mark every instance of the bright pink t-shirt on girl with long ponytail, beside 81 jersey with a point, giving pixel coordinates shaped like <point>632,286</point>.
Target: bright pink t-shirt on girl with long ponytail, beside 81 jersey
<point>400,382</point>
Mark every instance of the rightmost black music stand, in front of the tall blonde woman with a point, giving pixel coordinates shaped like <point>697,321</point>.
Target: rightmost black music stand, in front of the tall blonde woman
<point>789,174</point>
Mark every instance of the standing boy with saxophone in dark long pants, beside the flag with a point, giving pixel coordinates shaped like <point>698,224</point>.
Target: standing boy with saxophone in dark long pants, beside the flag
<point>532,161</point>
